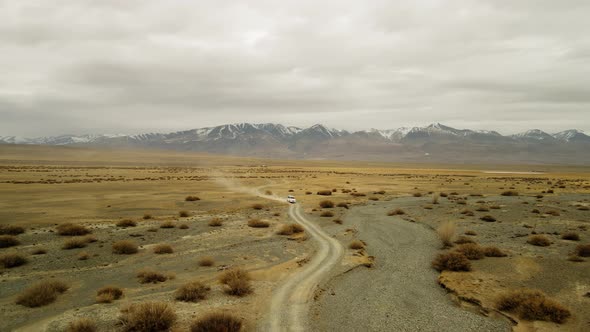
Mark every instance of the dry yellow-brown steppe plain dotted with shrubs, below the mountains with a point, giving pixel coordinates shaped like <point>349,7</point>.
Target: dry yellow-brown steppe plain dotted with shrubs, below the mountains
<point>98,237</point>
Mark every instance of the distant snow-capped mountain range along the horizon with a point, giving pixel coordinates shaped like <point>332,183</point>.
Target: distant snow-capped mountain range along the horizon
<point>433,143</point>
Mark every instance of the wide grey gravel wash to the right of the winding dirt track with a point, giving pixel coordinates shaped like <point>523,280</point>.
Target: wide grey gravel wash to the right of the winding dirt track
<point>400,293</point>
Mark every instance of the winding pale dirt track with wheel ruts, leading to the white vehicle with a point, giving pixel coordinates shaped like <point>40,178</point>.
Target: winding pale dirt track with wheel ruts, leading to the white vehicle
<point>290,303</point>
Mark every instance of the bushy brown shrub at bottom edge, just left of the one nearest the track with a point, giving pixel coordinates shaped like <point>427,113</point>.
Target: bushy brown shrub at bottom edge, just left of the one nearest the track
<point>148,316</point>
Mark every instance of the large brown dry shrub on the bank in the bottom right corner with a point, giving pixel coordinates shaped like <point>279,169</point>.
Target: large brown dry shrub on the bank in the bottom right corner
<point>532,305</point>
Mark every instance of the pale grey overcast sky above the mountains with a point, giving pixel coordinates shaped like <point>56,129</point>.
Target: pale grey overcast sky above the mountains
<point>131,66</point>
